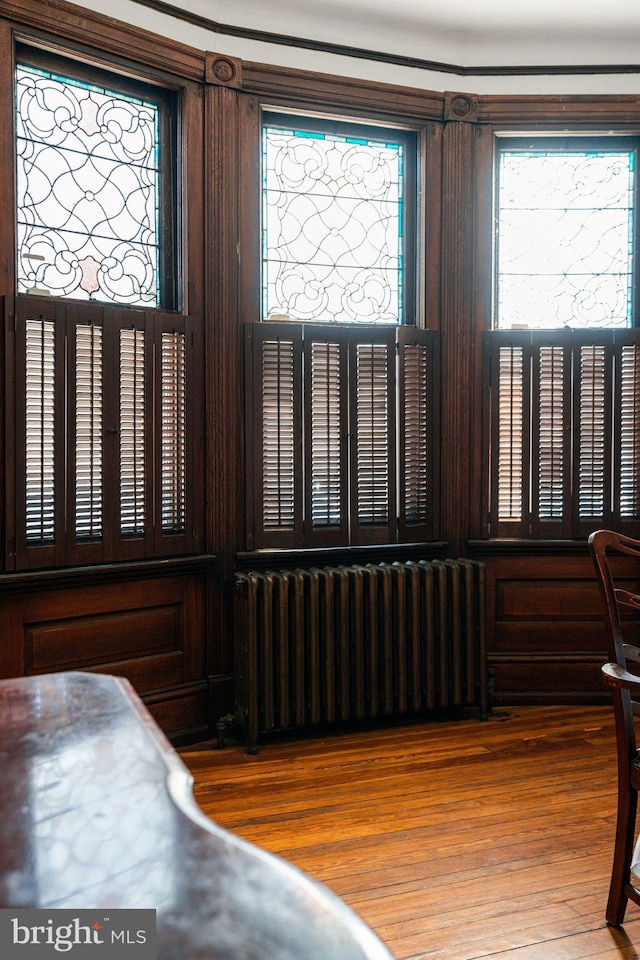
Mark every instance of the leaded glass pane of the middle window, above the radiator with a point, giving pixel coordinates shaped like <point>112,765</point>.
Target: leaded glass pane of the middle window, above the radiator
<point>332,227</point>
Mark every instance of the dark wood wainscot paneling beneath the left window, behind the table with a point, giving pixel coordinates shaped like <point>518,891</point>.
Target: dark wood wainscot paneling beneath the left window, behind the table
<point>150,631</point>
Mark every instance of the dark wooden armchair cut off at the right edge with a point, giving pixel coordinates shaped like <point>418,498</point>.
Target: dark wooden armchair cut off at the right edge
<point>622,673</point>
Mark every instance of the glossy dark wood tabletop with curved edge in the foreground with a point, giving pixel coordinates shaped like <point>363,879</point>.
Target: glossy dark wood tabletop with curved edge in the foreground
<point>97,811</point>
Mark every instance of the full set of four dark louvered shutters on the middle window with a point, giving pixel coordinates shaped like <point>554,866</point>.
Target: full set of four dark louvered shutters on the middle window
<point>329,412</point>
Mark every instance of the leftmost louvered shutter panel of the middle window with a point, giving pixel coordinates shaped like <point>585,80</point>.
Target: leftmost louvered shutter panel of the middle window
<point>275,361</point>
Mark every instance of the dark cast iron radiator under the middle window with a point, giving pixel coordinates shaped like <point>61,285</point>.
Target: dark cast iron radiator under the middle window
<point>341,643</point>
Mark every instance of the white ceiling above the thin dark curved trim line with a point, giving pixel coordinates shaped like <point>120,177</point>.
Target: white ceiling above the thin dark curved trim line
<point>461,32</point>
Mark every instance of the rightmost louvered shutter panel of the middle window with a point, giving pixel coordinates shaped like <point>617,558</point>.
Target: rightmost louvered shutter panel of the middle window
<point>417,404</point>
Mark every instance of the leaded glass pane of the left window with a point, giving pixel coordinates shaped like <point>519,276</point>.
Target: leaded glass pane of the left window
<point>87,190</point>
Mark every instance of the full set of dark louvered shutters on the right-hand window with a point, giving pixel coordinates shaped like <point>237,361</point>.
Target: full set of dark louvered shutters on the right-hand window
<point>565,425</point>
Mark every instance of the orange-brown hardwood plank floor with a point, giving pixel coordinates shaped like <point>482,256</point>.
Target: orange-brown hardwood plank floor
<point>453,840</point>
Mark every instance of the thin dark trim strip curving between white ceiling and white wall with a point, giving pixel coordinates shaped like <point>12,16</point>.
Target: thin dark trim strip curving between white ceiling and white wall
<point>265,36</point>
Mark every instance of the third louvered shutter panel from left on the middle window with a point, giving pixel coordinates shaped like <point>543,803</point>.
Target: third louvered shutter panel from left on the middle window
<point>372,378</point>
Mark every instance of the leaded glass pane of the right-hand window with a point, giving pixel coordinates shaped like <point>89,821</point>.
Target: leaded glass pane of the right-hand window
<point>565,232</point>
